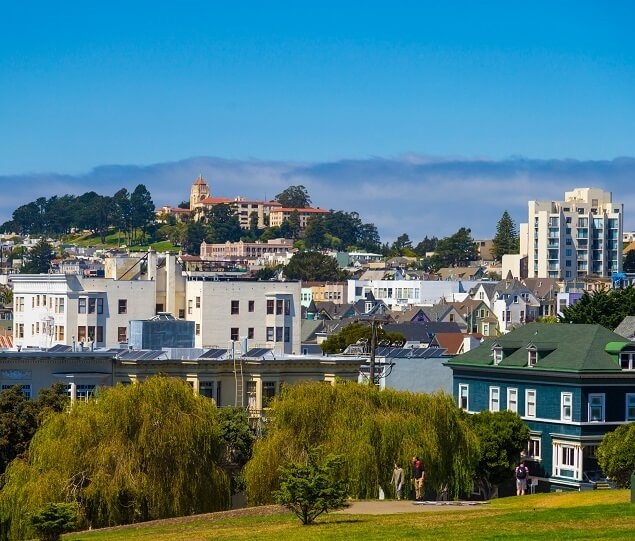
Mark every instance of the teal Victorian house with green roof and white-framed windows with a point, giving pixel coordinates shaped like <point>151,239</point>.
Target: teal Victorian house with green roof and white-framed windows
<point>569,383</point>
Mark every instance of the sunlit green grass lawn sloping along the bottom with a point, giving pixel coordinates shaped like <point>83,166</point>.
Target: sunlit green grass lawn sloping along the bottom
<point>600,514</point>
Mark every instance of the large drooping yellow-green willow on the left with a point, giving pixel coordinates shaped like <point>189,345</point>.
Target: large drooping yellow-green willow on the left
<point>137,452</point>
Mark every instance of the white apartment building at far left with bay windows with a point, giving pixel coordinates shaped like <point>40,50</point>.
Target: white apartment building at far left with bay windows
<point>68,309</point>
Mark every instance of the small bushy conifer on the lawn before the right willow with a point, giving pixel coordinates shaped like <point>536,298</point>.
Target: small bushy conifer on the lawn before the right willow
<point>313,487</point>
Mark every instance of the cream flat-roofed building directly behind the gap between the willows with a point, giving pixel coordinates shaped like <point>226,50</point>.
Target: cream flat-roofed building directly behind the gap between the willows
<point>265,313</point>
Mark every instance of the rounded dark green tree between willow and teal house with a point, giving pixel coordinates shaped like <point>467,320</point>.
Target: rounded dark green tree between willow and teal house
<point>502,436</point>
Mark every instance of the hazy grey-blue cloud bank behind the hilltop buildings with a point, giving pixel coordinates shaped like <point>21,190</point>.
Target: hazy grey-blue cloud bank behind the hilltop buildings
<point>411,194</point>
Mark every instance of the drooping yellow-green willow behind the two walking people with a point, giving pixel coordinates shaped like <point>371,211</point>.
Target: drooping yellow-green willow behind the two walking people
<point>372,429</point>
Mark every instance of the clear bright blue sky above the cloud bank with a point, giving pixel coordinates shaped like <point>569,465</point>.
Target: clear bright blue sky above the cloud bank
<point>85,84</point>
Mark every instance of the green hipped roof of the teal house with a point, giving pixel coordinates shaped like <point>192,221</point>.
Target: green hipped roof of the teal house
<point>560,347</point>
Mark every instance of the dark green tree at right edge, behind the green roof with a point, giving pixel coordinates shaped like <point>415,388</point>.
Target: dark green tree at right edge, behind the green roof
<point>606,308</point>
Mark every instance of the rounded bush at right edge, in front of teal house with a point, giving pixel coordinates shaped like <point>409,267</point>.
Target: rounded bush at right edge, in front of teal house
<point>616,455</point>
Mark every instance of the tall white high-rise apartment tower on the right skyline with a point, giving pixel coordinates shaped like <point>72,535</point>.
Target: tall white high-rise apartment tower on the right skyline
<point>575,238</point>
